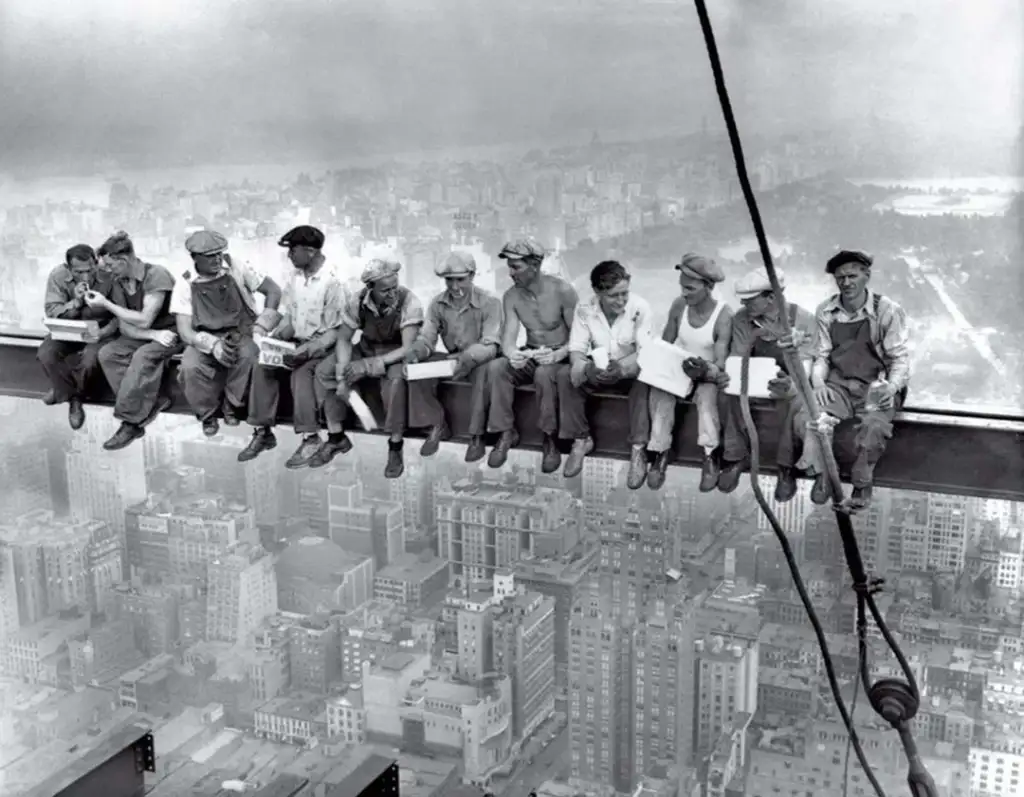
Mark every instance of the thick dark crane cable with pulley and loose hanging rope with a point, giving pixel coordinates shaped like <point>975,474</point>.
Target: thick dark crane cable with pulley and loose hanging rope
<point>895,701</point>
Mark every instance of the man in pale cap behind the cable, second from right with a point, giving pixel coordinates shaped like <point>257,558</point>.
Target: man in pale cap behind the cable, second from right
<point>758,319</point>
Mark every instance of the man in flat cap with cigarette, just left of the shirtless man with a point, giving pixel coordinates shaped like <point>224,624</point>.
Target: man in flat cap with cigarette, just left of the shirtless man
<point>468,320</point>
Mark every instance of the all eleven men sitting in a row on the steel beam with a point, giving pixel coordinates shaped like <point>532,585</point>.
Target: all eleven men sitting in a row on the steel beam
<point>856,338</point>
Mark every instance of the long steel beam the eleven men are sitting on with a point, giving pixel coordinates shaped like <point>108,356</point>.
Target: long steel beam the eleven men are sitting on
<point>930,451</point>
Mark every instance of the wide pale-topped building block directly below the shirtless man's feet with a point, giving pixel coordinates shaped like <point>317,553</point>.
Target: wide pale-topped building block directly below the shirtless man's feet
<point>484,526</point>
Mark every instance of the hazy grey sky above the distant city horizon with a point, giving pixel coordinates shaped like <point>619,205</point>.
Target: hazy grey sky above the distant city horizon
<point>305,77</point>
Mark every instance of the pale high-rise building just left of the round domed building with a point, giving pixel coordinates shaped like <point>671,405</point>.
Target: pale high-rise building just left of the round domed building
<point>242,591</point>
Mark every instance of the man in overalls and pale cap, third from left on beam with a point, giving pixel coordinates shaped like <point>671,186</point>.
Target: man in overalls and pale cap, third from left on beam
<point>218,318</point>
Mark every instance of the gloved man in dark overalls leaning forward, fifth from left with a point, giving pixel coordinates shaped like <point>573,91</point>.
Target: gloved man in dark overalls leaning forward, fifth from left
<point>390,317</point>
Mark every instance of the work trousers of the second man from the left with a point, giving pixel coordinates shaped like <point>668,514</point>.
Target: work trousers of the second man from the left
<point>137,370</point>
